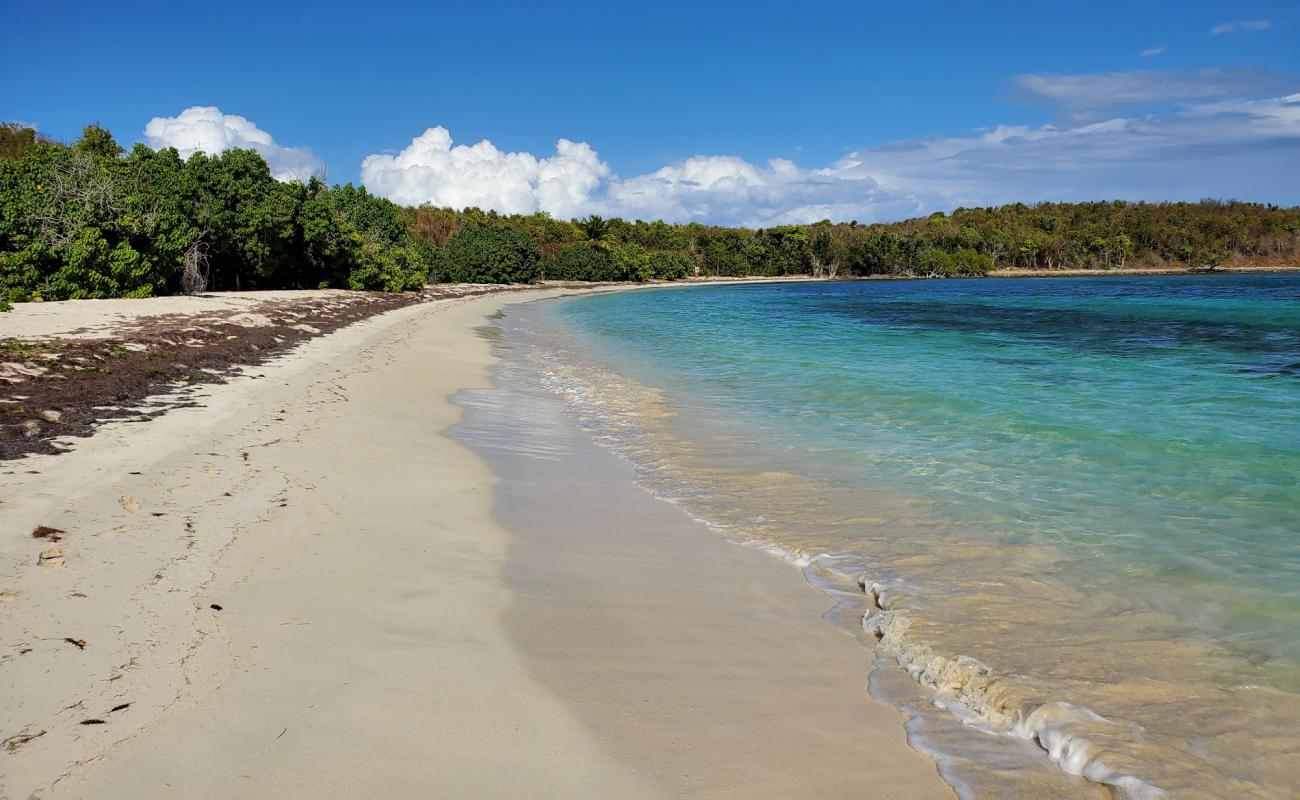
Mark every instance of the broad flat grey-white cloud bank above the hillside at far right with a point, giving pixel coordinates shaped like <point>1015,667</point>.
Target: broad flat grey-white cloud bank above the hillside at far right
<point>1247,149</point>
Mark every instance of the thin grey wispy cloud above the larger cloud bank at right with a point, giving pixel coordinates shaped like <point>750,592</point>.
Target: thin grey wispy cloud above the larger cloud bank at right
<point>1093,96</point>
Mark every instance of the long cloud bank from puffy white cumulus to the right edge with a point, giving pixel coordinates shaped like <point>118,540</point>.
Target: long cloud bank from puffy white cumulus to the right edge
<point>1204,148</point>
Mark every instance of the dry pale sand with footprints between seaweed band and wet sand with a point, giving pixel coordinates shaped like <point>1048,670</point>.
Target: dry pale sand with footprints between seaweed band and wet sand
<point>298,587</point>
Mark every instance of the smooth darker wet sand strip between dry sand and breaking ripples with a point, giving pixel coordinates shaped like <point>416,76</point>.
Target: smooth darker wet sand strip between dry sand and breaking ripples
<point>703,663</point>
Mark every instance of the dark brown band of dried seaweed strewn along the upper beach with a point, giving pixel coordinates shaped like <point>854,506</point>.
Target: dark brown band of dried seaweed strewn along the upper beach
<point>60,388</point>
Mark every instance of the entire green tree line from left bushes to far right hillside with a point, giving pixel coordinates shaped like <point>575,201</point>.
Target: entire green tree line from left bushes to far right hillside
<point>89,220</point>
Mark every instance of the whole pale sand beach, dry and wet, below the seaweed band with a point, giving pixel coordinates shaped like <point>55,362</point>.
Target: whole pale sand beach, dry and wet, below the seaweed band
<point>300,589</point>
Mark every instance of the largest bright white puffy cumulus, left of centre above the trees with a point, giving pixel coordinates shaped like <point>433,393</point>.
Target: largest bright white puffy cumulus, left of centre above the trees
<point>434,171</point>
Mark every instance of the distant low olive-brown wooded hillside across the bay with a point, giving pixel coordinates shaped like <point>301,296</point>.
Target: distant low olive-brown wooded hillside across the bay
<point>968,243</point>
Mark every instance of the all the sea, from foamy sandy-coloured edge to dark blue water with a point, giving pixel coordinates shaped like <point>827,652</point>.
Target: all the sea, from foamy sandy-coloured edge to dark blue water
<point>1072,503</point>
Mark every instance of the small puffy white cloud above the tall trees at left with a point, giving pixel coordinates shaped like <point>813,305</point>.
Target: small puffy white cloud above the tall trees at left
<point>206,129</point>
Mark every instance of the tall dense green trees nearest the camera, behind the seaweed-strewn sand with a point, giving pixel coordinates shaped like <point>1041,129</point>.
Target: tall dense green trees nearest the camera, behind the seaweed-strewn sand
<point>88,222</point>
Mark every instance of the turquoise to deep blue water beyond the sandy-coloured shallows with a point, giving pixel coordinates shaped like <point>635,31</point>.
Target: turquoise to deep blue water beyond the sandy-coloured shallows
<point>1149,426</point>
